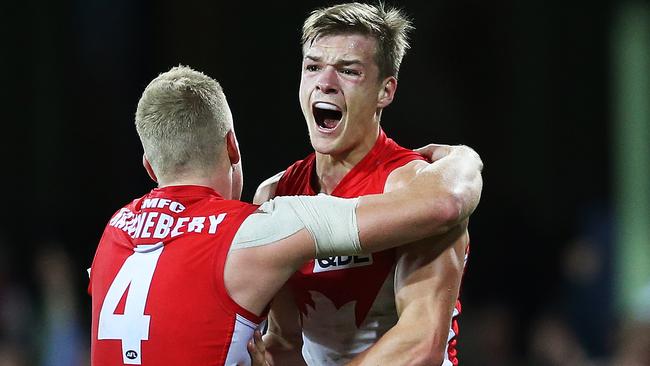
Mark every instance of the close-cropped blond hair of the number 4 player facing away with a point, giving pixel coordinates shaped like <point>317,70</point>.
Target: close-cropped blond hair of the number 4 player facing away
<point>182,120</point>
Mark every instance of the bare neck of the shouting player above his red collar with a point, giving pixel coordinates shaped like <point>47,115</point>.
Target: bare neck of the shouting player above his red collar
<point>332,168</point>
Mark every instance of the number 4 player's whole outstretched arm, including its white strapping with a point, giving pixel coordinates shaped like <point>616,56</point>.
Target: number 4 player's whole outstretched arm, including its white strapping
<point>440,196</point>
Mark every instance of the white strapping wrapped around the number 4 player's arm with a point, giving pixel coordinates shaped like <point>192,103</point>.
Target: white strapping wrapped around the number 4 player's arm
<point>331,222</point>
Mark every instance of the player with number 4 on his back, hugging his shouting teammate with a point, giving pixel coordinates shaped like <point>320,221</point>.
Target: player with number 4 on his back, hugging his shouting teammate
<point>185,274</point>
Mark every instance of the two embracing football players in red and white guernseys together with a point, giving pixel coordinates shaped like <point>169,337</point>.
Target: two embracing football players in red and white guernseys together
<point>185,274</point>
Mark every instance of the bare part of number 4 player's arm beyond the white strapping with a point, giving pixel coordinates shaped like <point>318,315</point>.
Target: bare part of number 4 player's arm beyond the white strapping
<point>440,197</point>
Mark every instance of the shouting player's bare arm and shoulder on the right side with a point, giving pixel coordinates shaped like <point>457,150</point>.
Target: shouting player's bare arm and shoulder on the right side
<point>428,276</point>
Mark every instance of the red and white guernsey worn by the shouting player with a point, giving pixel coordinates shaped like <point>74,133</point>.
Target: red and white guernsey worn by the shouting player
<point>348,302</point>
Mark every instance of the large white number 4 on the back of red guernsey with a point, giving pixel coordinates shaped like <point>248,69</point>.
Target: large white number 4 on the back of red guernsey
<point>132,327</point>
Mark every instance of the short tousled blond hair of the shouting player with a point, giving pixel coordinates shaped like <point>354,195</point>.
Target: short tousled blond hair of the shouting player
<point>389,26</point>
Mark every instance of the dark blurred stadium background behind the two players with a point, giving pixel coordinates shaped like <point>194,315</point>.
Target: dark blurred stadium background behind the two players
<point>554,94</point>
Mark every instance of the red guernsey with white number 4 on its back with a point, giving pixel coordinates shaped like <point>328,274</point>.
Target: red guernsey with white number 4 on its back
<point>158,293</point>
